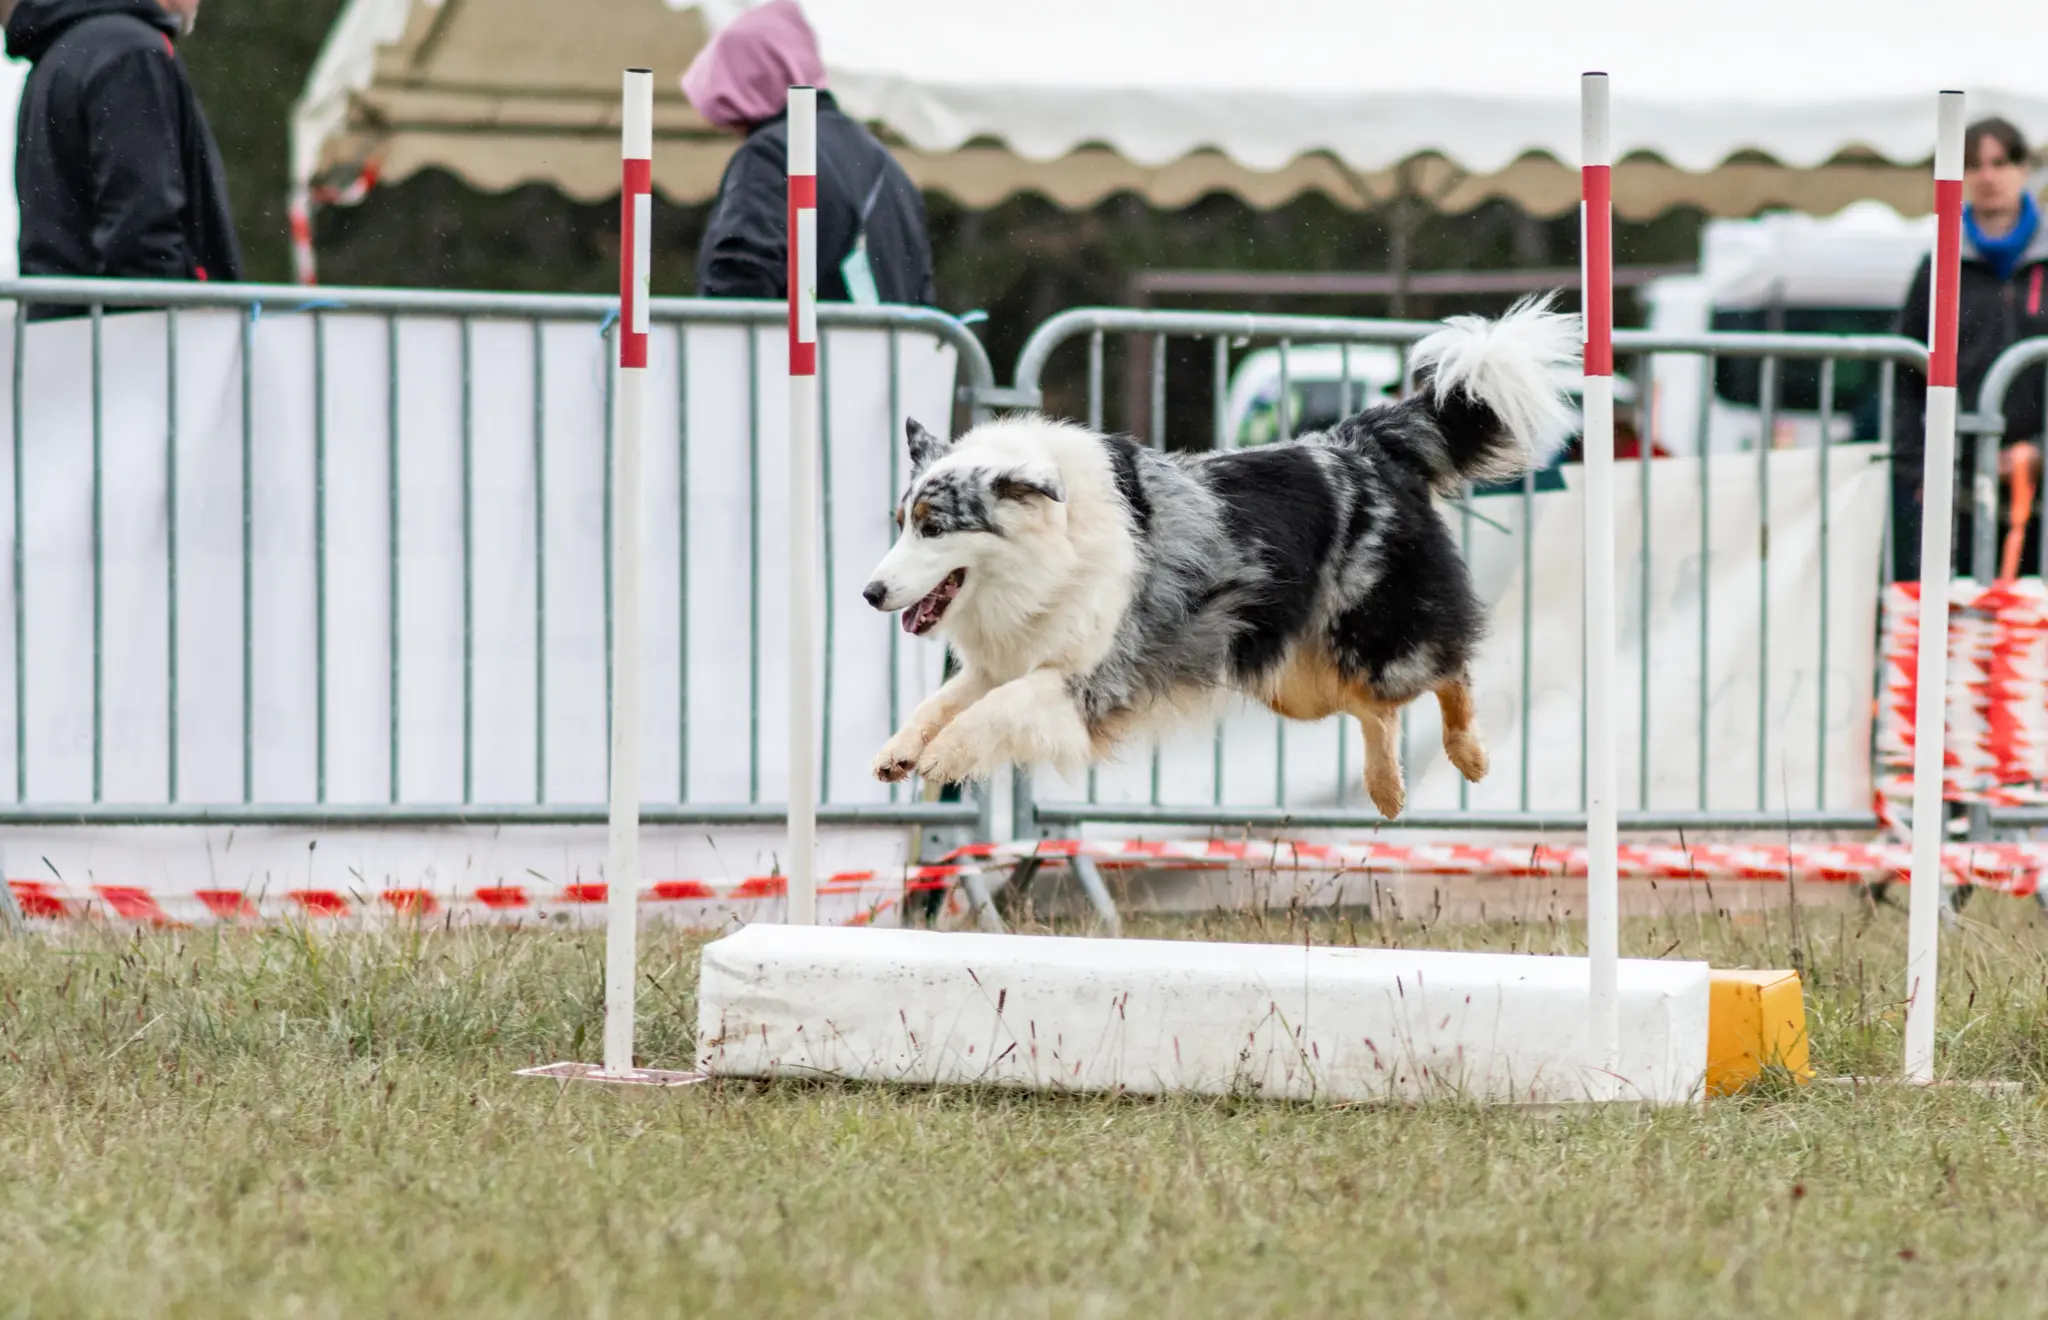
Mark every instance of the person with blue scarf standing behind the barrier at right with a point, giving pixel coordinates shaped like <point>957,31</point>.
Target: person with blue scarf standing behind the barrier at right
<point>2002,302</point>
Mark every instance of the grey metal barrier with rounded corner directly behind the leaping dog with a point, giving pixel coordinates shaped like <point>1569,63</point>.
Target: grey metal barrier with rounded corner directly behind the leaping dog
<point>1785,365</point>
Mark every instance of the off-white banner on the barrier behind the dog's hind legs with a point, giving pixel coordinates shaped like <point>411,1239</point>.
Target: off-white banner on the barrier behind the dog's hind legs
<point>1807,721</point>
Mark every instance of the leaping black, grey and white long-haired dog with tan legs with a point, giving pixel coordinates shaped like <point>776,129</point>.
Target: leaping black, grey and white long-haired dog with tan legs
<point>1316,576</point>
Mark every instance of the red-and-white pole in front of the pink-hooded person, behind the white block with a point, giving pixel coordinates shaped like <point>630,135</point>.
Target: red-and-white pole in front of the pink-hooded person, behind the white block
<point>804,447</point>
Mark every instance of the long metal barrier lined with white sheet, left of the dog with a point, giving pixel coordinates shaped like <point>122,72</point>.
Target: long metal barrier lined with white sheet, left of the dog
<point>206,570</point>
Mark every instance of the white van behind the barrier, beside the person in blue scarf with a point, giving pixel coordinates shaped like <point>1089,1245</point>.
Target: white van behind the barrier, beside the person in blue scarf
<point>1840,275</point>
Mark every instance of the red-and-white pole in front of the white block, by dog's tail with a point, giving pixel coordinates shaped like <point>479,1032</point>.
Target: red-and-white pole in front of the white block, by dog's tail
<point>1603,822</point>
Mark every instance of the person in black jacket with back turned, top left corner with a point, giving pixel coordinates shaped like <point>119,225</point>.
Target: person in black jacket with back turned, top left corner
<point>116,167</point>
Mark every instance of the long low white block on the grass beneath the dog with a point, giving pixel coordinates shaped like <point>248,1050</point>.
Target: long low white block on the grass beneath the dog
<point>1156,1016</point>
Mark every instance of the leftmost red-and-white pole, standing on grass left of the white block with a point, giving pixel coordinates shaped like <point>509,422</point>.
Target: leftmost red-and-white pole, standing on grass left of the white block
<point>622,875</point>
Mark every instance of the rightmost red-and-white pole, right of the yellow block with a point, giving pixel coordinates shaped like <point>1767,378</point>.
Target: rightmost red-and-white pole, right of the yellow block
<point>1938,509</point>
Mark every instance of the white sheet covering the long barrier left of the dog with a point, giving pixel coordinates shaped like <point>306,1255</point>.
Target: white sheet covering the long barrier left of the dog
<point>730,552</point>
